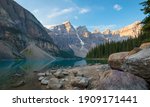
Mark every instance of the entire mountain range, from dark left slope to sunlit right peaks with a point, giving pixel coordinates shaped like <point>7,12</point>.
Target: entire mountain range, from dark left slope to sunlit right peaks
<point>21,33</point>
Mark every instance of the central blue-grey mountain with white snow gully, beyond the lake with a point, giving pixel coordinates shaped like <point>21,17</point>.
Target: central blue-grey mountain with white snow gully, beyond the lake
<point>78,41</point>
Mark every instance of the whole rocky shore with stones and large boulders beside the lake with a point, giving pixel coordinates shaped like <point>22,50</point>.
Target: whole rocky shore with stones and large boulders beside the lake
<point>125,71</point>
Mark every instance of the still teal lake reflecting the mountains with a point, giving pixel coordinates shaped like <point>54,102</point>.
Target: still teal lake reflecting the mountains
<point>13,72</point>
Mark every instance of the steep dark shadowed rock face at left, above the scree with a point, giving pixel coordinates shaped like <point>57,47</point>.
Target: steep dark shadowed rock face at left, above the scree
<point>18,27</point>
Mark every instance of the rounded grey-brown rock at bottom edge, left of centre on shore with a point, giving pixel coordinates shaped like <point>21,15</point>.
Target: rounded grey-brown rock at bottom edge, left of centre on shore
<point>54,83</point>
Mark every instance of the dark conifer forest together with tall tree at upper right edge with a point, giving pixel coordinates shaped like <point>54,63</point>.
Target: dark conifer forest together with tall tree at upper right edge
<point>104,50</point>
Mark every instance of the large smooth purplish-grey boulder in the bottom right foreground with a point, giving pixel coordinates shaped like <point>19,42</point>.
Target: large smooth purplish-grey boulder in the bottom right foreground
<point>117,80</point>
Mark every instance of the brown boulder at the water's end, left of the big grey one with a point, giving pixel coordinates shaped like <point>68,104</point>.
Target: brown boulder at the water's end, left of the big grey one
<point>117,59</point>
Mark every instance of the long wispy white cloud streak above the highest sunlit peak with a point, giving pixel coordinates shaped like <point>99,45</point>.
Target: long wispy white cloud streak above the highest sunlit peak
<point>57,13</point>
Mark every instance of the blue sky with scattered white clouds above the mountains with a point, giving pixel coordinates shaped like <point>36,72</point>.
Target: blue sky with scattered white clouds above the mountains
<point>94,14</point>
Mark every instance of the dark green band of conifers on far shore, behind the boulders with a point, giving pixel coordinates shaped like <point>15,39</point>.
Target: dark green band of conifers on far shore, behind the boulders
<point>104,50</point>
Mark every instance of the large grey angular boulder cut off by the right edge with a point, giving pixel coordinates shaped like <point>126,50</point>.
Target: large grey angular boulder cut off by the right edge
<point>138,64</point>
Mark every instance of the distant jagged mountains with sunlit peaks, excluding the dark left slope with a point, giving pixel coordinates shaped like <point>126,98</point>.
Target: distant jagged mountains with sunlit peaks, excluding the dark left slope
<point>80,40</point>
